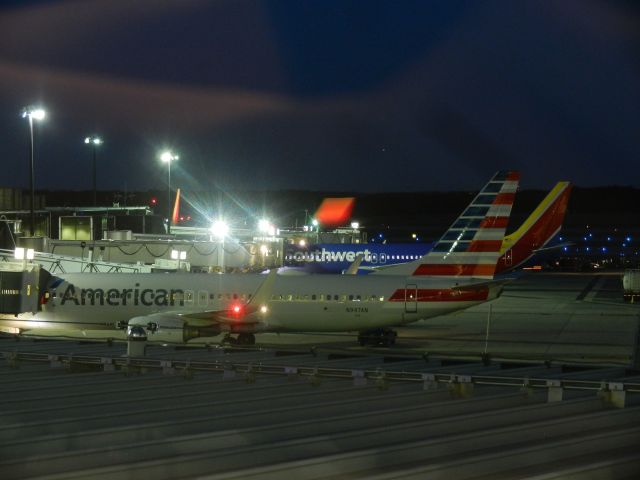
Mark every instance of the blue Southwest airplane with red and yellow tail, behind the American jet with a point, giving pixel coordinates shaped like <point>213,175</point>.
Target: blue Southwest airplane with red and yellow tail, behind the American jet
<point>533,237</point>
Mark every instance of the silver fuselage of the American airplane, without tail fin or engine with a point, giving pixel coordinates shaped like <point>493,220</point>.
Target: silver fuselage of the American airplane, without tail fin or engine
<point>299,303</point>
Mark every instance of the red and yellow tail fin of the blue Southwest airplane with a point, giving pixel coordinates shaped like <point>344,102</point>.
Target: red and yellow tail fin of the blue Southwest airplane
<point>537,230</point>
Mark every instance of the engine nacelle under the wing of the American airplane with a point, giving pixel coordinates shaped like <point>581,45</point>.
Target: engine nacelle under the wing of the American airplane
<point>171,328</point>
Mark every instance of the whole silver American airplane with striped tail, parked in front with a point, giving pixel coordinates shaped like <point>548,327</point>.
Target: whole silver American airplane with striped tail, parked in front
<point>456,274</point>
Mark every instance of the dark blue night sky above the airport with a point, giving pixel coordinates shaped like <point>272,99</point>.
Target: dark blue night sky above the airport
<point>322,95</point>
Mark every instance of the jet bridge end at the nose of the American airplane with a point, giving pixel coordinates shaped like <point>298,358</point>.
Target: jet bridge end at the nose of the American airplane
<point>20,287</point>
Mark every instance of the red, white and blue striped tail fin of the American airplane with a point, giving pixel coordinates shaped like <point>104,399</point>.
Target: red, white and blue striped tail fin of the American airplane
<point>471,246</point>
